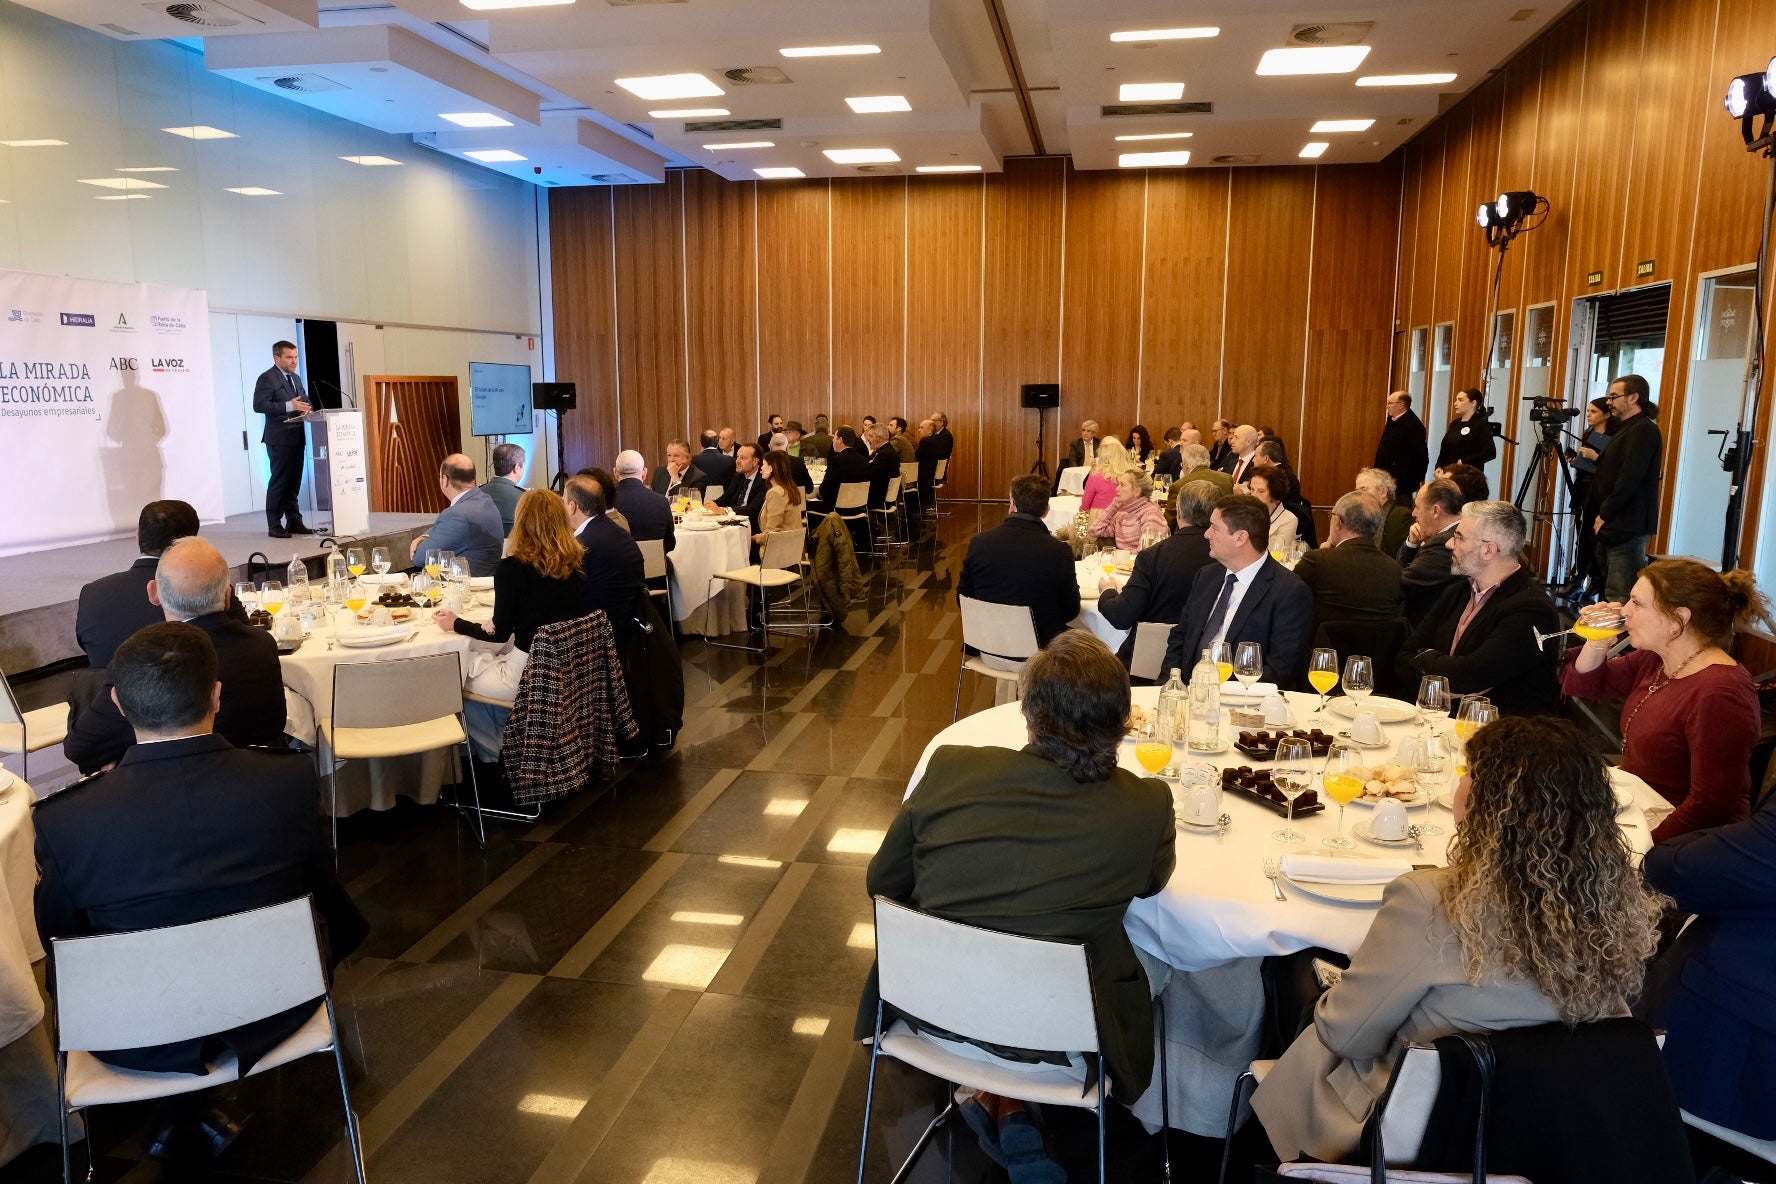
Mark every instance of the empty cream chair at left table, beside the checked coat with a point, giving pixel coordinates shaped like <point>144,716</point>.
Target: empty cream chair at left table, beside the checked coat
<point>399,709</point>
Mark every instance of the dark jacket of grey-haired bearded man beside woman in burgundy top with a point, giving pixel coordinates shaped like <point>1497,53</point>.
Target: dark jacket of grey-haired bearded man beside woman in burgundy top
<point>1498,651</point>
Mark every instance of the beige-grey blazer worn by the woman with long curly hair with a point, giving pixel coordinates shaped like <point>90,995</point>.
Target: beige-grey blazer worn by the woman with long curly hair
<point>1406,984</point>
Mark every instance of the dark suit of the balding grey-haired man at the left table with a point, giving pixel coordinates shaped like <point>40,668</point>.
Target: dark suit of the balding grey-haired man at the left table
<point>253,699</point>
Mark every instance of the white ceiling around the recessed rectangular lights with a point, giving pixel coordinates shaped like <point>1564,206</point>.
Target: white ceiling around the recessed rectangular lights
<point>985,79</point>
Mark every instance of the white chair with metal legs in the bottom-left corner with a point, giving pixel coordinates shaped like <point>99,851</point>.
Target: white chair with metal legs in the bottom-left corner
<point>161,986</point>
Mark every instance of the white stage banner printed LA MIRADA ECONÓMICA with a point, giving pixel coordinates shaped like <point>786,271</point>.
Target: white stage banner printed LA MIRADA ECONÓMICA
<point>106,406</point>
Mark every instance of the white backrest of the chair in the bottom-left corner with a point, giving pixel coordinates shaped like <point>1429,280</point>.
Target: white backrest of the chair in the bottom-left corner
<point>161,986</point>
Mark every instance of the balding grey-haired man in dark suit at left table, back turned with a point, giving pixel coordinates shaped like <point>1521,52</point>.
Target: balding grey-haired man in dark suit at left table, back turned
<point>193,585</point>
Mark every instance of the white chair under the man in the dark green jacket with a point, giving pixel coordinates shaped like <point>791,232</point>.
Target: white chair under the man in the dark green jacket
<point>1026,993</point>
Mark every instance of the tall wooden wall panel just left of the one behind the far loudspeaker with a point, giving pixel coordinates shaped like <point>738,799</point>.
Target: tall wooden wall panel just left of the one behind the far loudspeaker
<point>944,258</point>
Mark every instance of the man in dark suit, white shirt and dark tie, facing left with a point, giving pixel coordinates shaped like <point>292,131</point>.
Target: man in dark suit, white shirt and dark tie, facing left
<point>1246,596</point>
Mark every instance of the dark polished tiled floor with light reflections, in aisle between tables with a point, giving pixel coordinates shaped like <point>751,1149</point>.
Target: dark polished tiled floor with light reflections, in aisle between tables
<point>654,986</point>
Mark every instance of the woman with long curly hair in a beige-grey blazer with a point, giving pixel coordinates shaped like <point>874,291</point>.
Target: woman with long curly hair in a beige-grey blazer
<point>1541,917</point>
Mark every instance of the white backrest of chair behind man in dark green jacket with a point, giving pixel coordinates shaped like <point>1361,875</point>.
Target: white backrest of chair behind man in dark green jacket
<point>1027,993</point>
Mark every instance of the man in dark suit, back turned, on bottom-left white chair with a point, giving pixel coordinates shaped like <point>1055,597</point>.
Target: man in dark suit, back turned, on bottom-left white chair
<point>187,828</point>
